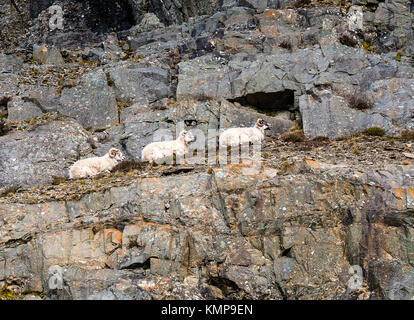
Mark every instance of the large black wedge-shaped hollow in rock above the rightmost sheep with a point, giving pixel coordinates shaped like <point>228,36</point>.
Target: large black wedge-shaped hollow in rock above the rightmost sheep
<point>268,103</point>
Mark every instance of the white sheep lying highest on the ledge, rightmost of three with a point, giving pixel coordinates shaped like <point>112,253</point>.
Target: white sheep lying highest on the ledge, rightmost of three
<point>237,136</point>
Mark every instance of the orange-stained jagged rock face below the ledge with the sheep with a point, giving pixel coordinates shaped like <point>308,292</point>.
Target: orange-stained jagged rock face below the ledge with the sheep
<point>274,236</point>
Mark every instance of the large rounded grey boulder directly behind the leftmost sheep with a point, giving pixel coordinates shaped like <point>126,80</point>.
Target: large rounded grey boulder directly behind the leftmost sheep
<point>31,158</point>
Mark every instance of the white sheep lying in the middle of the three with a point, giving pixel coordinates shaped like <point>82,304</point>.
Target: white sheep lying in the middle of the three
<point>161,151</point>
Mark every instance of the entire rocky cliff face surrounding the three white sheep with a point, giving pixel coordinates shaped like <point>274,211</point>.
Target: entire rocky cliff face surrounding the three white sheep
<point>334,192</point>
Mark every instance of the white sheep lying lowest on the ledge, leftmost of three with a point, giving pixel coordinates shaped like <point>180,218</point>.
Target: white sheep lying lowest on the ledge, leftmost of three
<point>95,165</point>
